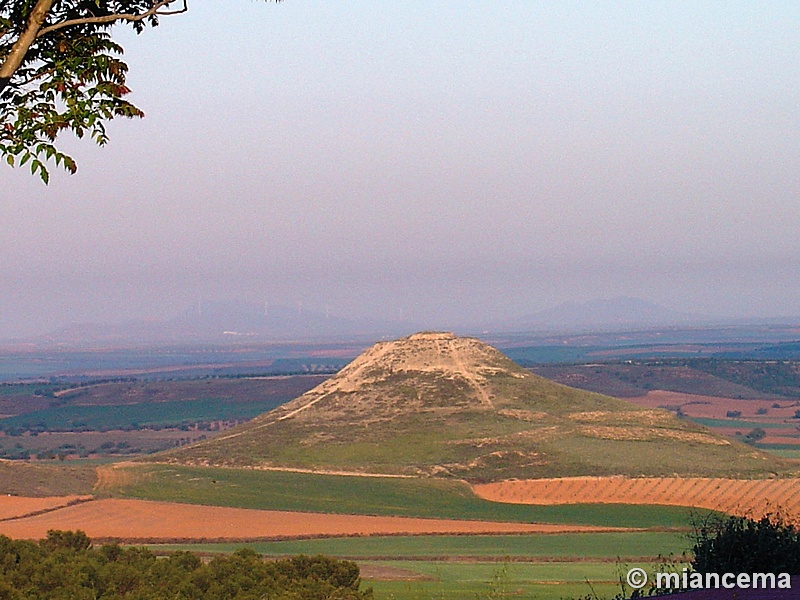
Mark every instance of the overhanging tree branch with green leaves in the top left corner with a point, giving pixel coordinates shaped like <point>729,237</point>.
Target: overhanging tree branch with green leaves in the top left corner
<point>60,70</point>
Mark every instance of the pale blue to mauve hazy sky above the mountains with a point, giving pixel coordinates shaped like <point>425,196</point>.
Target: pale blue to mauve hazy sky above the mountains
<point>446,162</point>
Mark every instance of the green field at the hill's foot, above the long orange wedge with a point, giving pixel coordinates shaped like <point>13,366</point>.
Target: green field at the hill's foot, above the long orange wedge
<point>432,498</point>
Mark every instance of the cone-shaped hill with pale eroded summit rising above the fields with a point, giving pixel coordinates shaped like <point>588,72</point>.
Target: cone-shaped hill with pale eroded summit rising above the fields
<point>438,405</point>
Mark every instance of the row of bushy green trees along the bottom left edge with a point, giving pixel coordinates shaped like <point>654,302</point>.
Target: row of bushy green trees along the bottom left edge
<point>65,566</point>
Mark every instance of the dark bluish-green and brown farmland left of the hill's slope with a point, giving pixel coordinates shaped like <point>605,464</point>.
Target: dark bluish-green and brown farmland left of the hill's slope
<point>124,417</point>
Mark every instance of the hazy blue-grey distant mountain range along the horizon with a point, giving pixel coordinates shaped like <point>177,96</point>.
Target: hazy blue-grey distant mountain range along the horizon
<point>230,322</point>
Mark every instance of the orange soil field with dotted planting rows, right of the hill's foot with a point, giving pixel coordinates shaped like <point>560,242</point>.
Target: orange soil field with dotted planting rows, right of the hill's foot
<point>743,497</point>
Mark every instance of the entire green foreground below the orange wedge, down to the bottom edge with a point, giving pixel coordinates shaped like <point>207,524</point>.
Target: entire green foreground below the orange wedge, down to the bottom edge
<point>532,566</point>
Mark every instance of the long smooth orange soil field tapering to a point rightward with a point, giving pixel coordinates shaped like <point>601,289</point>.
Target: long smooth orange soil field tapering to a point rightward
<point>140,520</point>
